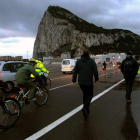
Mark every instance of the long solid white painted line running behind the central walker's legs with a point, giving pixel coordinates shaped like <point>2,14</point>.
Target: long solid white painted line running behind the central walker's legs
<point>67,116</point>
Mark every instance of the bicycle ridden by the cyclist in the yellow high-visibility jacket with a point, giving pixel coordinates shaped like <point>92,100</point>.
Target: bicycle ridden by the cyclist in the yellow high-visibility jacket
<point>47,80</point>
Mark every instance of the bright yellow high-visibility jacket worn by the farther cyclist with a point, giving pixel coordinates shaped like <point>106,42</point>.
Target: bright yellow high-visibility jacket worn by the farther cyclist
<point>40,67</point>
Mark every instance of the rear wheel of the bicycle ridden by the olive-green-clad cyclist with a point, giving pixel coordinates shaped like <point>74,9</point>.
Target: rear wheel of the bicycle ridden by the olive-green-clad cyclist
<point>16,96</point>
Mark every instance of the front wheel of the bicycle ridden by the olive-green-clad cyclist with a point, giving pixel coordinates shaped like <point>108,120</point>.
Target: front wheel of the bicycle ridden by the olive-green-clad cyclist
<point>41,96</point>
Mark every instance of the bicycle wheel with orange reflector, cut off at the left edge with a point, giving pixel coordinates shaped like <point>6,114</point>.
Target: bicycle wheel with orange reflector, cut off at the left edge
<point>9,113</point>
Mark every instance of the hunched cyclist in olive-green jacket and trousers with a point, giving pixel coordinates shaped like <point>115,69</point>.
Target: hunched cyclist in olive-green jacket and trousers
<point>22,77</point>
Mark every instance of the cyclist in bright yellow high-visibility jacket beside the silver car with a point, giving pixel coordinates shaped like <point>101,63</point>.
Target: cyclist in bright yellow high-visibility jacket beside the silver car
<point>40,67</point>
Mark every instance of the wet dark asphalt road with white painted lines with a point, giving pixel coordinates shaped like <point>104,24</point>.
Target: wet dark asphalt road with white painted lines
<point>61,118</point>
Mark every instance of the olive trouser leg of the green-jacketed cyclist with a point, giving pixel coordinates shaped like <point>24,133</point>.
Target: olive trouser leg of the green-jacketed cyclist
<point>31,87</point>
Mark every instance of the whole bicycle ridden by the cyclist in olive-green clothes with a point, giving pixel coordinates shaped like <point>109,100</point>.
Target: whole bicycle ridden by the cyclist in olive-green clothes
<point>41,95</point>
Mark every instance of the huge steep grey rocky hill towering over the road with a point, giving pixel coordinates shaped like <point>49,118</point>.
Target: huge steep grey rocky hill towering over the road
<point>61,31</point>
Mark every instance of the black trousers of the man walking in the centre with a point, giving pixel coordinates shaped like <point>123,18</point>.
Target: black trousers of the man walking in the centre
<point>87,95</point>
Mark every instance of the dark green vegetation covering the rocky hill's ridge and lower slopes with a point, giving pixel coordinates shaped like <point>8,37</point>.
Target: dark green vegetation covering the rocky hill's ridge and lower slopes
<point>121,45</point>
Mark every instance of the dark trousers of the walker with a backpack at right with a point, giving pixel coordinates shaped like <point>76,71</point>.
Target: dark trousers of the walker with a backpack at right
<point>129,83</point>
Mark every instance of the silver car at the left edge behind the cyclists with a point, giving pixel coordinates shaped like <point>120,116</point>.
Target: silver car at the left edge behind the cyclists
<point>8,70</point>
